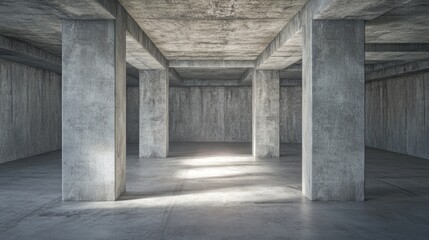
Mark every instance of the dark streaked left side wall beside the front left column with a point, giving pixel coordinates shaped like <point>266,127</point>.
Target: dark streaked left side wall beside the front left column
<point>30,111</point>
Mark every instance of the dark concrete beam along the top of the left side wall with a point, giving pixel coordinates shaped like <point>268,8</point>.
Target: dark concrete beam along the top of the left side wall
<point>18,51</point>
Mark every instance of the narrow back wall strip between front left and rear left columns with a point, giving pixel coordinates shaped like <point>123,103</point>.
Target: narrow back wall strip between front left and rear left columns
<point>132,114</point>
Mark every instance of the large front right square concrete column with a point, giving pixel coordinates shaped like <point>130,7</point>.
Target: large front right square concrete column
<point>333,110</point>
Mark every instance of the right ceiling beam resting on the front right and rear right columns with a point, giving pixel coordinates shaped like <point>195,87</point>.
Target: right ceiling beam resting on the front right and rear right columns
<point>286,48</point>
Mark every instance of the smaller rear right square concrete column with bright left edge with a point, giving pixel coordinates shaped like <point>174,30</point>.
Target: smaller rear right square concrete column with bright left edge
<point>265,114</point>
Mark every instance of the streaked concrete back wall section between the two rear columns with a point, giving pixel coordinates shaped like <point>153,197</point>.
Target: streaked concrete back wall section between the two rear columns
<point>210,114</point>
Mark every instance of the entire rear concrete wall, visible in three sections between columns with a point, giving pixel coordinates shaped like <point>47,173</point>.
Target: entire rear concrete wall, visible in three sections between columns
<point>221,114</point>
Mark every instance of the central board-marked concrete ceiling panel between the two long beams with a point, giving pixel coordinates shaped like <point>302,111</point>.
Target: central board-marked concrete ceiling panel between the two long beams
<point>212,29</point>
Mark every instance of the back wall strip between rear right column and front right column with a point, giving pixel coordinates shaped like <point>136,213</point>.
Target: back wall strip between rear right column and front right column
<point>290,114</point>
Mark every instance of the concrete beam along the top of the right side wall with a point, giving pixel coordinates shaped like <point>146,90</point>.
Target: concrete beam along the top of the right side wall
<point>396,71</point>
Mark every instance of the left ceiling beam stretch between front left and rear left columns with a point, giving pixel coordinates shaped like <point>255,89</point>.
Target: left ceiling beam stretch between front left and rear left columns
<point>142,53</point>
